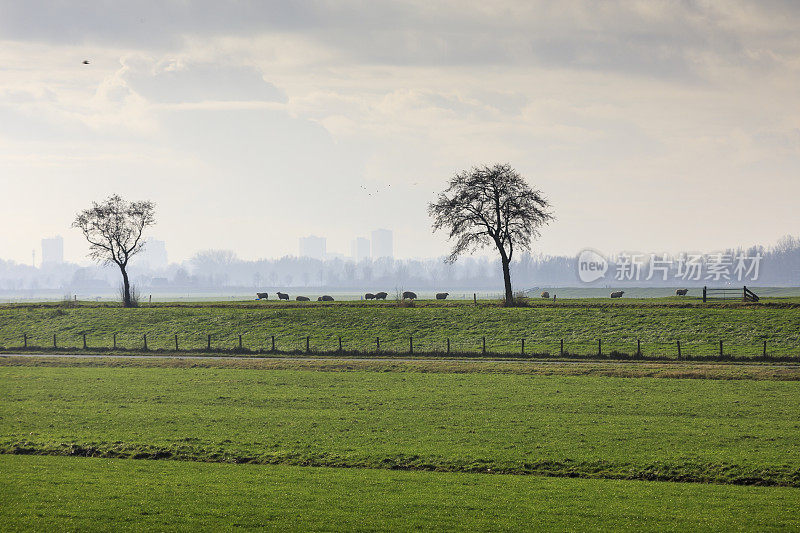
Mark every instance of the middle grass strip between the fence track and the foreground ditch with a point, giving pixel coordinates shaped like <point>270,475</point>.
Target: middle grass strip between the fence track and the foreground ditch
<point>740,432</point>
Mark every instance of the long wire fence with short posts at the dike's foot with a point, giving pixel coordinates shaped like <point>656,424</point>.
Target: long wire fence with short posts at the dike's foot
<point>396,345</point>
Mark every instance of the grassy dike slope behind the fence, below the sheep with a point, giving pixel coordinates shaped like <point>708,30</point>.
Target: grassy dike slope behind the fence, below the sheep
<point>742,328</point>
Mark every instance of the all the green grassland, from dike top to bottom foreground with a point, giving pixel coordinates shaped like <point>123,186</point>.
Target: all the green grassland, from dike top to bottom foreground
<point>370,444</point>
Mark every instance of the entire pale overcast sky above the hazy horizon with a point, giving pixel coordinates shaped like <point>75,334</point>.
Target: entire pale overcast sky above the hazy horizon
<point>651,126</point>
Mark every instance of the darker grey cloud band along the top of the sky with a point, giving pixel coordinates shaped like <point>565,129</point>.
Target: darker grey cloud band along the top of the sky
<point>664,39</point>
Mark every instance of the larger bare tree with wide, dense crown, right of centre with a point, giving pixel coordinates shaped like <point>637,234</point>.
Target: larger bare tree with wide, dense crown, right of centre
<point>490,205</point>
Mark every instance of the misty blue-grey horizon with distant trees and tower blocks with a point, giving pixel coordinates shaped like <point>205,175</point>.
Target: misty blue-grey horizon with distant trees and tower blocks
<point>210,273</point>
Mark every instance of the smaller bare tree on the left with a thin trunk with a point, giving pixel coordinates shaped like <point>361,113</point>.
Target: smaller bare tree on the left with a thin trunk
<point>114,230</point>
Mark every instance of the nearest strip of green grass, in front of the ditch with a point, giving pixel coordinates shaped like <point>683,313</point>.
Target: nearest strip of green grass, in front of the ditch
<point>60,493</point>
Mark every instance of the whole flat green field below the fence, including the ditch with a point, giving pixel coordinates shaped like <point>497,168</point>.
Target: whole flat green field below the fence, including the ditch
<point>167,444</point>
